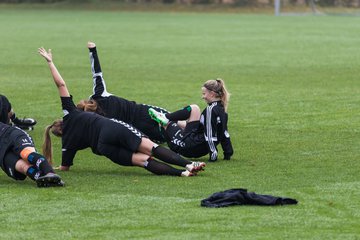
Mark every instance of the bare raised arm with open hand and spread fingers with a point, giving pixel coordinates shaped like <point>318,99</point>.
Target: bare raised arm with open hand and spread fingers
<point>58,80</point>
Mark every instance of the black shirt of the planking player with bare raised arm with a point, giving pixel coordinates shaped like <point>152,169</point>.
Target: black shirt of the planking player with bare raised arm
<point>80,130</point>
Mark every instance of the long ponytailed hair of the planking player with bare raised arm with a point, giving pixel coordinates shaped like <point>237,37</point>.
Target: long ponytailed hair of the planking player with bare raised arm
<point>56,129</point>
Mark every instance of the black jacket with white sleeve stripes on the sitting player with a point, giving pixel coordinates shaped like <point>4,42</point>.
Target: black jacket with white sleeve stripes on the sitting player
<point>214,122</point>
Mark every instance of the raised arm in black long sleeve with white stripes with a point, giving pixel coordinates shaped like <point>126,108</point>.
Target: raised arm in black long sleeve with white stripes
<point>99,86</point>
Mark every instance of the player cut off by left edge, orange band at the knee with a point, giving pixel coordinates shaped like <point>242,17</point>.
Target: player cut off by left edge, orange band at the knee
<point>19,159</point>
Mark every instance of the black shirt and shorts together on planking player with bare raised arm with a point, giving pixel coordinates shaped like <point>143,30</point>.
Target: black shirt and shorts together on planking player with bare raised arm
<point>112,138</point>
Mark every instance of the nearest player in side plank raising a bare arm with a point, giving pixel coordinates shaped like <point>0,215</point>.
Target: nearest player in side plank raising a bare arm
<point>117,140</point>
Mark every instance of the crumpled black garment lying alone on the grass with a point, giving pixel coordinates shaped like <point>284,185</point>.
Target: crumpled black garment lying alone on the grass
<point>240,196</point>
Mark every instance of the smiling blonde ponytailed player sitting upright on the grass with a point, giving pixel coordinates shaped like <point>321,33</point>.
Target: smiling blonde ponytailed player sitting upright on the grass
<point>203,131</point>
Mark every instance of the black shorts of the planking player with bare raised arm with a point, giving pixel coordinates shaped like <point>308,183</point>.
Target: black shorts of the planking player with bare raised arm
<point>118,141</point>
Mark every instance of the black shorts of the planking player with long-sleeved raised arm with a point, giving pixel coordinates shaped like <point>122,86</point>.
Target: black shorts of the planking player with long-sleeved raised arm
<point>148,126</point>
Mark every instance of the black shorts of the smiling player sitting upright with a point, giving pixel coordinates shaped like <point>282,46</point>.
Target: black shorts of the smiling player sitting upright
<point>189,142</point>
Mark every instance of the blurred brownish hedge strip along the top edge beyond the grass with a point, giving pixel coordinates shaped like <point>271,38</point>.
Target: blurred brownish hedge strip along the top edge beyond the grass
<point>240,3</point>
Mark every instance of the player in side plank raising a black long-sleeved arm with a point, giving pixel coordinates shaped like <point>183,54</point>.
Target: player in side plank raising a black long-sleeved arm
<point>111,106</point>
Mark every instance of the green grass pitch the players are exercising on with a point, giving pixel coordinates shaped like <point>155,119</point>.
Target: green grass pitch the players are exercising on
<point>294,119</point>
